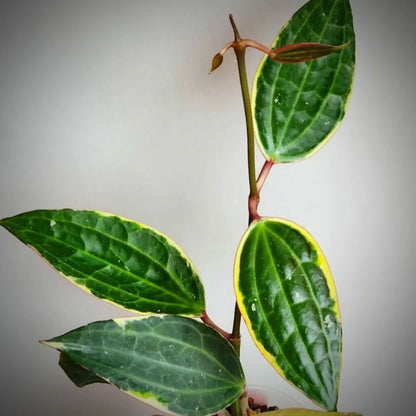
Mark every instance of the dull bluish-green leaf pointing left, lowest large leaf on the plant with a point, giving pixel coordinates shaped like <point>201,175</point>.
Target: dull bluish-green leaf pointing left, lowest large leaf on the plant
<point>170,362</point>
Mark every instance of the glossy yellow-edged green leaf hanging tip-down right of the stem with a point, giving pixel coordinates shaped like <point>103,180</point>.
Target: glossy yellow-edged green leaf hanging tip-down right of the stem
<point>287,297</point>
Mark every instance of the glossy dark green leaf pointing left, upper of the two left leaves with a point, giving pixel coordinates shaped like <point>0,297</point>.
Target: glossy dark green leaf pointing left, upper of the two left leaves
<point>115,259</point>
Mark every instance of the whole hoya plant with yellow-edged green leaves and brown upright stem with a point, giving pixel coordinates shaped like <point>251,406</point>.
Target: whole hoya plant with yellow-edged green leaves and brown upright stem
<point>174,356</point>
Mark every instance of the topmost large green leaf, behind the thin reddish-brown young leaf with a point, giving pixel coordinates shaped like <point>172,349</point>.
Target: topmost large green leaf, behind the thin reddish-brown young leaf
<point>298,107</point>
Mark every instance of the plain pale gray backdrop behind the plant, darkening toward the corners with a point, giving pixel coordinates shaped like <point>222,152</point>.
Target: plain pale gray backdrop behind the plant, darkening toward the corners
<point>108,105</point>
